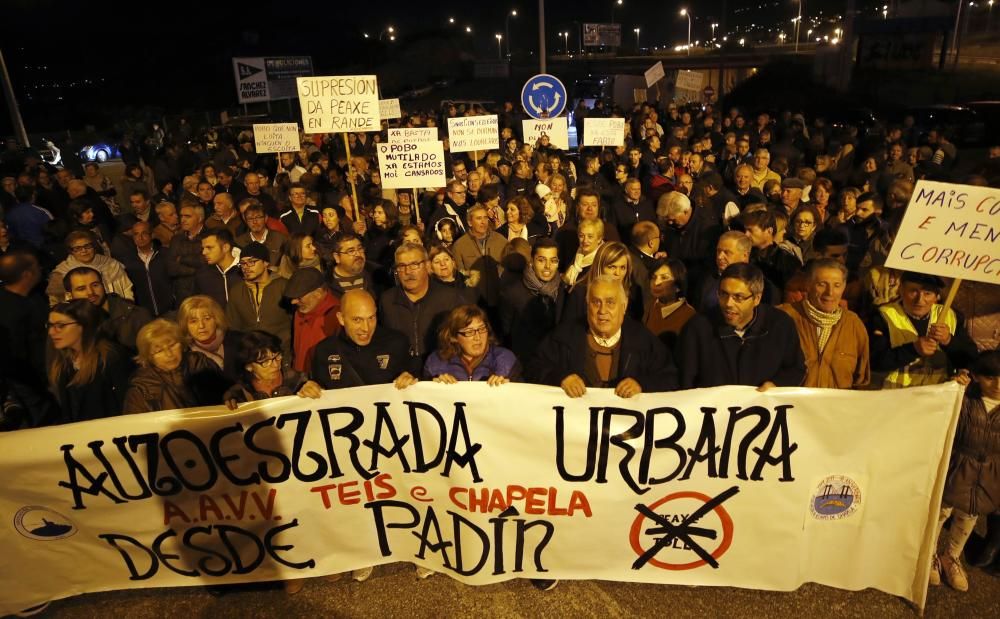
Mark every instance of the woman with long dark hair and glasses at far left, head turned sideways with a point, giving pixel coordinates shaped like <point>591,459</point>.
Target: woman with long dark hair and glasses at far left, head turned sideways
<point>87,373</point>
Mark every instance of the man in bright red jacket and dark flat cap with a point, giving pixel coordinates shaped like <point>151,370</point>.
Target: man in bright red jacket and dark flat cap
<point>315,316</point>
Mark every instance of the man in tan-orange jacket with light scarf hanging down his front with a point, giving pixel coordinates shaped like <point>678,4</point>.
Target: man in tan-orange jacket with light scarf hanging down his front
<point>834,340</point>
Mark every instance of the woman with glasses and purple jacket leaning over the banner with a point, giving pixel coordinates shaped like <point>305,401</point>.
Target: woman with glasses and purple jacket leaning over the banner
<point>467,350</point>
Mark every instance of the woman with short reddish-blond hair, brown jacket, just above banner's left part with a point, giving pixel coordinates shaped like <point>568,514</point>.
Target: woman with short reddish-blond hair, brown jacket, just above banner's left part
<point>170,375</point>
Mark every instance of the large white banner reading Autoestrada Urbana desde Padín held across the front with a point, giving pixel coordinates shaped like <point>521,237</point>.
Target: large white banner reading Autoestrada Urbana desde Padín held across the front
<point>721,487</point>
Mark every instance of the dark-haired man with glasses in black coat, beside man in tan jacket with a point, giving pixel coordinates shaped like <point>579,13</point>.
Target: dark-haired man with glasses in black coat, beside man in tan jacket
<point>741,342</point>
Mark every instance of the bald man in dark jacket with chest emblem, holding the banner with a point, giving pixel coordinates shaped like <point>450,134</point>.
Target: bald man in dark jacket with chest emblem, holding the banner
<point>363,353</point>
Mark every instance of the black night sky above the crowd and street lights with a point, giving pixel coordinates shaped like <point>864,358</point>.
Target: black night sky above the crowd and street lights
<point>71,61</point>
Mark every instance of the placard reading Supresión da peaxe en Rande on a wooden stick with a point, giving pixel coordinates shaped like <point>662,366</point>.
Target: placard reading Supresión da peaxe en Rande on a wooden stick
<point>337,104</point>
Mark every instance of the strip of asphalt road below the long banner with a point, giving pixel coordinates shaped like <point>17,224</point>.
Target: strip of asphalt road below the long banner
<point>394,591</point>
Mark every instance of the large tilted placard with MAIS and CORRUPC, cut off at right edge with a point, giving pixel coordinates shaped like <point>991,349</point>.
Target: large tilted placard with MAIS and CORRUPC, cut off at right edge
<point>950,230</point>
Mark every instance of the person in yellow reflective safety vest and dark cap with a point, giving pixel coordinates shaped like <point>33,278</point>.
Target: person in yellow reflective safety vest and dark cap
<point>909,346</point>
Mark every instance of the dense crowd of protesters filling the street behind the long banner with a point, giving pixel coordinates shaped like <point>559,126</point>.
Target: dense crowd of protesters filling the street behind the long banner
<point>711,249</point>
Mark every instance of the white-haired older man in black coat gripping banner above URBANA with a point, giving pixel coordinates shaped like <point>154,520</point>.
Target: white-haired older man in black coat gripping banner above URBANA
<point>610,350</point>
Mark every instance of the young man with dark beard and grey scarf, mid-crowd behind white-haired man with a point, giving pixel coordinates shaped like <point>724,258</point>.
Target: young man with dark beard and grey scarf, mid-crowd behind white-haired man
<point>531,307</point>
